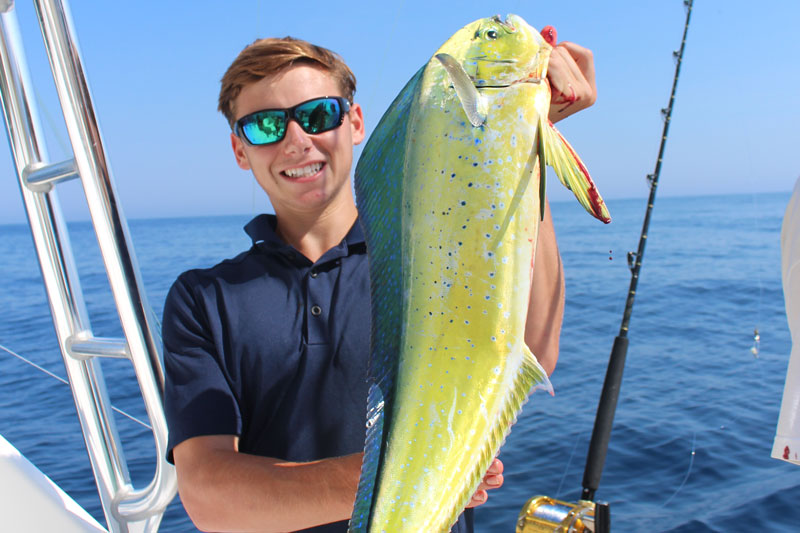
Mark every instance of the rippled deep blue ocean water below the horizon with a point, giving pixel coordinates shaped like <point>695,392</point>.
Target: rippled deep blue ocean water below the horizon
<point>699,401</point>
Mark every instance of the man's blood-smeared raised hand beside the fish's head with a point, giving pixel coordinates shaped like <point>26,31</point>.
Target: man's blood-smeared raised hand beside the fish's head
<point>571,77</point>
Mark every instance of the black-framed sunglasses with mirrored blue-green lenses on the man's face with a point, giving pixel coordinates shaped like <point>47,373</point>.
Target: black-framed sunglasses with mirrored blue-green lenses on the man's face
<point>268,126</point>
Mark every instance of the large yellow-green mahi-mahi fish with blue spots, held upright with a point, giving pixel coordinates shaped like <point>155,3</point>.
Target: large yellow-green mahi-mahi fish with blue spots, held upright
<point>450,189</point>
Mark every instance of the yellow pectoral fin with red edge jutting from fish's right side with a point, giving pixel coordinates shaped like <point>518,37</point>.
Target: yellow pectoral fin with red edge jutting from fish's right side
<point>572,173</point>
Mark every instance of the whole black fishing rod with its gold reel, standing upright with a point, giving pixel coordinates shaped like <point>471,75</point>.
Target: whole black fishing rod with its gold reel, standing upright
<point>542,513</point>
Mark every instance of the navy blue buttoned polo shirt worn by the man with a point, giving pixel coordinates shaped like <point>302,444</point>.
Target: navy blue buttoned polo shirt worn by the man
<point>273,348</point>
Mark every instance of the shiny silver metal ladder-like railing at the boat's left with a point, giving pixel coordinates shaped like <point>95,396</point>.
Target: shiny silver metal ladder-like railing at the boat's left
<point>126,508</point>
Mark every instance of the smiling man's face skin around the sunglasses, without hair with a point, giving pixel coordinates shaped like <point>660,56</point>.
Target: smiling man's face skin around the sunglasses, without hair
<point>303,174</point>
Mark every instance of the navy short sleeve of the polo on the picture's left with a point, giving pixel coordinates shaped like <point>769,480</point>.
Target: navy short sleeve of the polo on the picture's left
<point>198,398</point>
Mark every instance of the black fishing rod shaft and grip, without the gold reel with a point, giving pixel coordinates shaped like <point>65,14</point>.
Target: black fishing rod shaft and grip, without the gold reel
<point>601,433</point>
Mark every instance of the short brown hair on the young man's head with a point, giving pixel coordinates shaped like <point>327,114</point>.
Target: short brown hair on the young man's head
<point>269,57</point>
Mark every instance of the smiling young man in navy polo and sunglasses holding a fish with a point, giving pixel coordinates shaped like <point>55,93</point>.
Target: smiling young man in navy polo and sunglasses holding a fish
<point>266,353</point>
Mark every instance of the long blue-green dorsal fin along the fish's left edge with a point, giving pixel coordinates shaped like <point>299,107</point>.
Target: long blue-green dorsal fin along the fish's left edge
<point>379,179</point>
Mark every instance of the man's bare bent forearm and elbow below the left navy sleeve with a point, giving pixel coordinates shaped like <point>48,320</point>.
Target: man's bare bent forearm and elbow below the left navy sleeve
<point>224,490</point>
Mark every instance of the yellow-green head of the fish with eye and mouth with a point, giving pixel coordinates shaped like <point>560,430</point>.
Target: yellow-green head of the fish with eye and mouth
<point>499,53</point>
